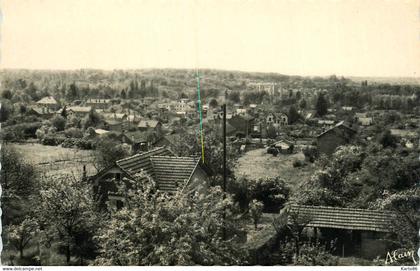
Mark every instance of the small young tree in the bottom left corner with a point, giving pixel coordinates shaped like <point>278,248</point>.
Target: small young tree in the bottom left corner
<point>20,235</point>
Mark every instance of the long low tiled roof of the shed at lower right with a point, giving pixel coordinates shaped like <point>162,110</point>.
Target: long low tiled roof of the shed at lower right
<point>345,218</point>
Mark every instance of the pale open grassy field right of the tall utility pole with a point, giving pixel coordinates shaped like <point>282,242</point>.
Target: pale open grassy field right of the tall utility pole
<point>258,163</point>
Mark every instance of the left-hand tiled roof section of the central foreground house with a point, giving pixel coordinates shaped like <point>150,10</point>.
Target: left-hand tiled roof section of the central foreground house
<point>136,163</point>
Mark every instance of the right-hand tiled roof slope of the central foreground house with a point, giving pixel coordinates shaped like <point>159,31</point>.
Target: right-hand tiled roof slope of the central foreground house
<point>172,172</point>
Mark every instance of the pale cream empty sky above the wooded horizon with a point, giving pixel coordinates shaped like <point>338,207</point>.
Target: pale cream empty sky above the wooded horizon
<point>307,37</point>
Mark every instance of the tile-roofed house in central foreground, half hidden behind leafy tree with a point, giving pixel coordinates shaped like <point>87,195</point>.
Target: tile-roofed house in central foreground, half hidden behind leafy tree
<point>169,172</point>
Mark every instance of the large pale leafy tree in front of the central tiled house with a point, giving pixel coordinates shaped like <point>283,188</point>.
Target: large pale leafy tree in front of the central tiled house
<point>184,229</point>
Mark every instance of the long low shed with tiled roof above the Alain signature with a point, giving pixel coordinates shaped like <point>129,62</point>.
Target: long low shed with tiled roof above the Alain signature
<point>359,232</point>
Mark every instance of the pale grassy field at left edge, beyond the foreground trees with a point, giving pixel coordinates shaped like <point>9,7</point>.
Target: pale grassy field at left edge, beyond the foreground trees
<point>55,160</point>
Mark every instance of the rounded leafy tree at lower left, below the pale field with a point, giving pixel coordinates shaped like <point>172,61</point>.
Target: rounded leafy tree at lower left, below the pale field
<point>67,210</point>
